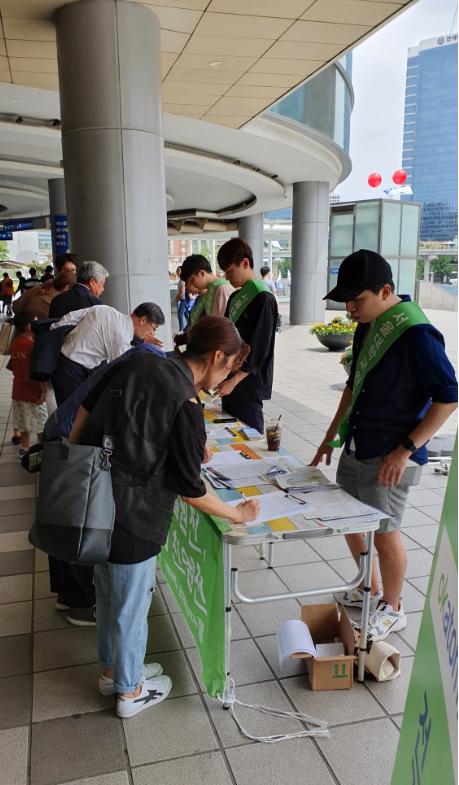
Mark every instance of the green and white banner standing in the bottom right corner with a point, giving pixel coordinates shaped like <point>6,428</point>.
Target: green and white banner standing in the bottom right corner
<point>427,749</point>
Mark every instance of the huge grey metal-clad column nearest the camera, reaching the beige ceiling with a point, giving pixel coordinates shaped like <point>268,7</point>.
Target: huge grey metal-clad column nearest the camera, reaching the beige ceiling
<point>112,134</point>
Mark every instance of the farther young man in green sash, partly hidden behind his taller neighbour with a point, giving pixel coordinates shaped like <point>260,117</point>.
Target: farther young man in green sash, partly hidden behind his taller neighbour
<point>214,292</point>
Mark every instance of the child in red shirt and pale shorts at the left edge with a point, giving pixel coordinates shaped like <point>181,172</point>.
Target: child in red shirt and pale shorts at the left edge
<point>29,410</point>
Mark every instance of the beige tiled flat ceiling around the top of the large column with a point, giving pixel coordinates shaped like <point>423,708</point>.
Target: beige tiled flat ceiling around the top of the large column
<point>223,61</point>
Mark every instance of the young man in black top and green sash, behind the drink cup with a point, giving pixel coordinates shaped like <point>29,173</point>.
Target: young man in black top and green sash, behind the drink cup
<point>253,309</point>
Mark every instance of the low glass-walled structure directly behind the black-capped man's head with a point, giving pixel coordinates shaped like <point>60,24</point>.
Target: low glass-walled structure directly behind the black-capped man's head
<point>386,226</point>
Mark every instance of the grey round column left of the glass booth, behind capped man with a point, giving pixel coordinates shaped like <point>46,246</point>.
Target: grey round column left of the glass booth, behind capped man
<point>309,251</point>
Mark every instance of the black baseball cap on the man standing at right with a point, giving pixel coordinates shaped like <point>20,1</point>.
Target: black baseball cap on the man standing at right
<point>359,271</point>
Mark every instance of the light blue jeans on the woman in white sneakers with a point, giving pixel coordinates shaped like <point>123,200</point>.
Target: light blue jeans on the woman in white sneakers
<point>123,598</point>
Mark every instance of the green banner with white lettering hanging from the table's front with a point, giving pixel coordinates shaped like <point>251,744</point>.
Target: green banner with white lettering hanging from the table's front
<point>192,563</point>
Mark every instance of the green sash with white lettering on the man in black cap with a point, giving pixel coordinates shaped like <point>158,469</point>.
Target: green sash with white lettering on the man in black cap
<point>386,329</point>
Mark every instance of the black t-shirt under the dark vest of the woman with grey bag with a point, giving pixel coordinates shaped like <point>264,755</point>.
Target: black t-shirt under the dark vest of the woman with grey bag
<point>185,453</point>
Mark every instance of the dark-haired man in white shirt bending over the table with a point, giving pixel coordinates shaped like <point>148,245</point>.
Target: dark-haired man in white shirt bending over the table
<point>101,334</point>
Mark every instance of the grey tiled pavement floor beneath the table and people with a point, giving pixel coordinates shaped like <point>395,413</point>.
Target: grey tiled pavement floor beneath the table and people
<point>54,726</point>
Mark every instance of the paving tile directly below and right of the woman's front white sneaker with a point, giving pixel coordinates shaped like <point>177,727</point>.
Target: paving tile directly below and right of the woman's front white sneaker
<point>165,731</point>
